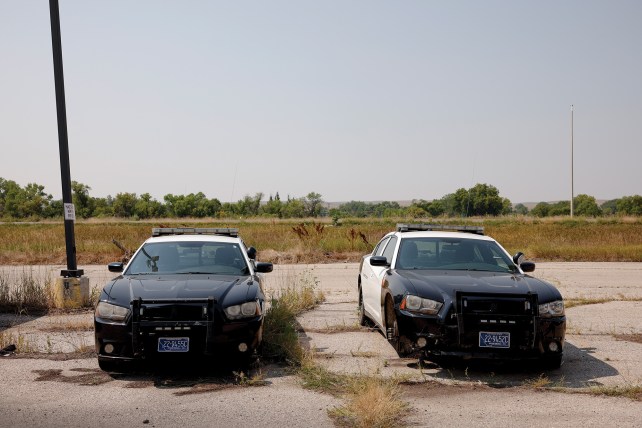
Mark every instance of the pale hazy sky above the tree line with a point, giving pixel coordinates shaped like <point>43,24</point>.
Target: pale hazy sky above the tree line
<point>355,100</point>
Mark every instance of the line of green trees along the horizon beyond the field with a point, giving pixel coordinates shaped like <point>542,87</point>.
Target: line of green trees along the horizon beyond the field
<point>32,202</point>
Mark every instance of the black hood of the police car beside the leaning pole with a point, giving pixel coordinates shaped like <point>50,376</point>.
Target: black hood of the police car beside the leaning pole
<point>124,289</point>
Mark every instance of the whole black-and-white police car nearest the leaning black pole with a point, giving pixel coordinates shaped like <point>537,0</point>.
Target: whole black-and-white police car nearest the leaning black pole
<point>208,304</point>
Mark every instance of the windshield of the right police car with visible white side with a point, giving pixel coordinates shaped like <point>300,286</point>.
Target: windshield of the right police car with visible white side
<point>453,254</point>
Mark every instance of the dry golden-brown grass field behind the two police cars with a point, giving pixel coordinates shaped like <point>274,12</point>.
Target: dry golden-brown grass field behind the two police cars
<point>319,241</point>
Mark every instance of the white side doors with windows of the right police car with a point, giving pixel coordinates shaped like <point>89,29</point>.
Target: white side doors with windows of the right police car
<point>372,277</point>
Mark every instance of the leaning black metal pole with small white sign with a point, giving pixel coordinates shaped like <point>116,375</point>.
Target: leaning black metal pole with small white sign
<point>70,241</point>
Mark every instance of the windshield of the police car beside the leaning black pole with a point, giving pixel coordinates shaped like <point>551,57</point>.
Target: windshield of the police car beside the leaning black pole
<point>189,257</point>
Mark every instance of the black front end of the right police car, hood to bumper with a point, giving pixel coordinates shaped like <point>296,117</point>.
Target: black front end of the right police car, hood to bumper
<point>473,320</point>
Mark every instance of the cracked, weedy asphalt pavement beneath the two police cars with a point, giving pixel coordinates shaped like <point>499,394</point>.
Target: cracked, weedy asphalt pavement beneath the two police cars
<point>49,387</point>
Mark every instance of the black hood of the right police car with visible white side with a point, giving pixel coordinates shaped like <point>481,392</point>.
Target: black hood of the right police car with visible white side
<point>447,283</point>
